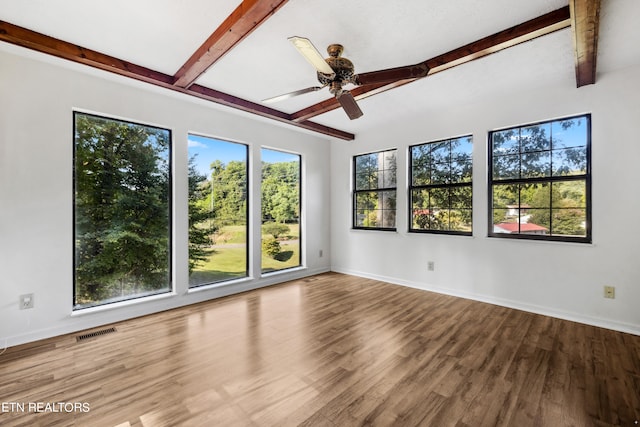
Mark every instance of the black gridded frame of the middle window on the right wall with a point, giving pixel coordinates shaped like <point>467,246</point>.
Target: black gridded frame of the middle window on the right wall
<point>447,185</point>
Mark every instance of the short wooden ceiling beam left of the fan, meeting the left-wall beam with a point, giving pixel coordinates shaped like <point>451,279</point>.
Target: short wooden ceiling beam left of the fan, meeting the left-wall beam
<point>248,16</point>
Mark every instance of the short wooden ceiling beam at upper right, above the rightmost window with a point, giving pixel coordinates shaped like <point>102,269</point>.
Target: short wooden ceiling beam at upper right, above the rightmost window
<point>585,21</point>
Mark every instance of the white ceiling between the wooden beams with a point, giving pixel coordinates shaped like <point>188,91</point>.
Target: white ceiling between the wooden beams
<point>377,34</point>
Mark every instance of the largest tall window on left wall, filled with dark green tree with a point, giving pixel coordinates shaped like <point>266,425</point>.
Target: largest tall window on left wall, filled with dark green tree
<point>122,201</point>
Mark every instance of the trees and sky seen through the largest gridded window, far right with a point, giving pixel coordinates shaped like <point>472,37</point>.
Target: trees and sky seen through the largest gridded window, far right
<point>546,152</point>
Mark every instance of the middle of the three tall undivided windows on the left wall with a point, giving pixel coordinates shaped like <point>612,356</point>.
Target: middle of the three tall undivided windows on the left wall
<point>218,210</point>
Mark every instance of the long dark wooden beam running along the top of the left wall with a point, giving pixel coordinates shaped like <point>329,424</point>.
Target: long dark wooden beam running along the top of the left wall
<point>42,43</point>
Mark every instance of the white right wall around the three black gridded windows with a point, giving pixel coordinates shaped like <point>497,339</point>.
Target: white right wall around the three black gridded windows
<point>559,279</point>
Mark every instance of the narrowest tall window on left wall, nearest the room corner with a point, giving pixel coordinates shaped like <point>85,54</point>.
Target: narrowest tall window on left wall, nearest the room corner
<point>281,237</point>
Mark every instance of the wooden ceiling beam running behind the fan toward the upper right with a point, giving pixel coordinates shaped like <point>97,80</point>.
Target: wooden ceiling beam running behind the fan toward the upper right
<point>534,28</point>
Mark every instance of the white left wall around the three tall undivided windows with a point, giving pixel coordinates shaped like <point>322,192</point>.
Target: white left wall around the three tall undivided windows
<point>37,97</point>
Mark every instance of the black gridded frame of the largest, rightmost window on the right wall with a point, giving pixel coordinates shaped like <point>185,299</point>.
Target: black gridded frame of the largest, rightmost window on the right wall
<point>586,177</point>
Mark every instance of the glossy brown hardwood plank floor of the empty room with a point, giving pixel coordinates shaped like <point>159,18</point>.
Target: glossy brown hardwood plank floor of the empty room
<point>330,350</point>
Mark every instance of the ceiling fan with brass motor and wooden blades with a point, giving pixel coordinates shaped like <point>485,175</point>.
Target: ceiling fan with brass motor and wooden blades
<point>336,71</point>
